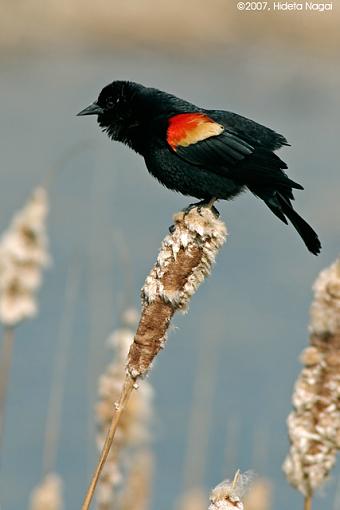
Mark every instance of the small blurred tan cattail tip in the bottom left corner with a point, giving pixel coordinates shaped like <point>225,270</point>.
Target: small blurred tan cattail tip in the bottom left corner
<point>48,495</point>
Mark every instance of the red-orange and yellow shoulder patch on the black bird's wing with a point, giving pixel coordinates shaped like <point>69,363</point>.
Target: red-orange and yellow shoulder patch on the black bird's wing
<point>187,128</point>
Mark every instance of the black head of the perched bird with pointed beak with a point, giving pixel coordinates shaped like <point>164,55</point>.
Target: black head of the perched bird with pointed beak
<point>115,108</point>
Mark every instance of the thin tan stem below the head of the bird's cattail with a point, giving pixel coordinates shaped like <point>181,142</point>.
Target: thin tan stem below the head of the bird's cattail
<point>119,408</point>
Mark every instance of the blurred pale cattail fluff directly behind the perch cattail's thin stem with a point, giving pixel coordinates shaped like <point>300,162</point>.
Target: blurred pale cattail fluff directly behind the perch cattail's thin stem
<point>133,427</point>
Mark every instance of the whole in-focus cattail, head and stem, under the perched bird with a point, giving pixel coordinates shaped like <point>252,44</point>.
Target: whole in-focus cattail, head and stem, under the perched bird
<point>184,260</point>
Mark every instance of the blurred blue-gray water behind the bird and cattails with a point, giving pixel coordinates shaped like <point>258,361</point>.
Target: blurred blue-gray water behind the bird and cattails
<point>254,307</point>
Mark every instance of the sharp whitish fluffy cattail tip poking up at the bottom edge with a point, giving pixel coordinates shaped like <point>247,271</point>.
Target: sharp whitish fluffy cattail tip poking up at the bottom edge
<point>228,495</point>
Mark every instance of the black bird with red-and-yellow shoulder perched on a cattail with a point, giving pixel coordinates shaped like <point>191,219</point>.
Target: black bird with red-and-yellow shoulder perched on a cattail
<point>207,154</point>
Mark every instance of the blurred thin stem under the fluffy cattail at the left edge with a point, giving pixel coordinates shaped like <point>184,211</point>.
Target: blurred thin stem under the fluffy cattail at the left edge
<point>5,366</point>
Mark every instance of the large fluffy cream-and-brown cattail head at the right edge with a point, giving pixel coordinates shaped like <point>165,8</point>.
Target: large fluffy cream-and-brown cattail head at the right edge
<point>314,425</point>
